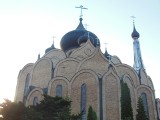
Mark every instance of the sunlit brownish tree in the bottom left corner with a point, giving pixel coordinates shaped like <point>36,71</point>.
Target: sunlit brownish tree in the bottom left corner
<point>18,111</point>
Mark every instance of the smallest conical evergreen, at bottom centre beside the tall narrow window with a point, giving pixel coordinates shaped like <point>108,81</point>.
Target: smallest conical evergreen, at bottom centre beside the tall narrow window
<point>91,114</point>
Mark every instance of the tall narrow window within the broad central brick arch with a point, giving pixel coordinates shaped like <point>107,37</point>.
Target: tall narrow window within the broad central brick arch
<point>83,100</point>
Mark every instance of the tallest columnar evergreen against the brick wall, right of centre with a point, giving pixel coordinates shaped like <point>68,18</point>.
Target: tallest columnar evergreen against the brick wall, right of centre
<point>126,106</point>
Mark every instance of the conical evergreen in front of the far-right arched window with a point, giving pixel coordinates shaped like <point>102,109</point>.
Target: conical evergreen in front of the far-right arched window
<point>141,114</point>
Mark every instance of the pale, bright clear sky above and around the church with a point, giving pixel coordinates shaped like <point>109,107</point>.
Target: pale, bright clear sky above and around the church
<point>27,28</point>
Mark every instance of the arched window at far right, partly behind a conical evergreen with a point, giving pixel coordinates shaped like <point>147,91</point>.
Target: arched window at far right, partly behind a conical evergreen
<point>145,103</point>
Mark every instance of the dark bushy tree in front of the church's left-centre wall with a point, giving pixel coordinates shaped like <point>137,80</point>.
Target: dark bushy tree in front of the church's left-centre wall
<point>55,108</point>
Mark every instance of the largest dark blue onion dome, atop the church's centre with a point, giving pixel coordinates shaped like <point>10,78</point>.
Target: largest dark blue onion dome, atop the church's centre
<point>74,38</point>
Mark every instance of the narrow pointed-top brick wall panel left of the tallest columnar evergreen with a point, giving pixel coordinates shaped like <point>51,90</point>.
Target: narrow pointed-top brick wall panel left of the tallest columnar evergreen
<point>111,96</point>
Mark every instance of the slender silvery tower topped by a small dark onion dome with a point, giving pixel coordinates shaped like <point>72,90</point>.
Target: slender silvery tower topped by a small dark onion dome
<point>138,63</point>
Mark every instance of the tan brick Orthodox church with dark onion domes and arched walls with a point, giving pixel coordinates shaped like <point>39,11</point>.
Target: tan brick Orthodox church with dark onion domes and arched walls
<point>80,71</point>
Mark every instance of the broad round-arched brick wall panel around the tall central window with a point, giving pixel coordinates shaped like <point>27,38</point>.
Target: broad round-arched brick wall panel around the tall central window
<point>91,81</point>
